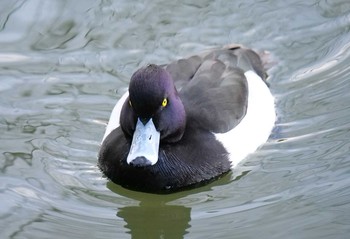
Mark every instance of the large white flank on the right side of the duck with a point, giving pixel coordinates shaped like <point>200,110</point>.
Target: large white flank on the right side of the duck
<point>256,126</point>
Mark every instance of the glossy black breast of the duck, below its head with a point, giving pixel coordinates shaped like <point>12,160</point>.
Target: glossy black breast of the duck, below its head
<point>196,159</point>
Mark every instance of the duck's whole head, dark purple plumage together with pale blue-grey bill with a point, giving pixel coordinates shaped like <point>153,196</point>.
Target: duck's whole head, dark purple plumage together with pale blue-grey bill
<point>152,114</point>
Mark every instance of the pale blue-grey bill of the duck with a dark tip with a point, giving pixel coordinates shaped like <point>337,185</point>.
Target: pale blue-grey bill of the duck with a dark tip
<point>145,145</point>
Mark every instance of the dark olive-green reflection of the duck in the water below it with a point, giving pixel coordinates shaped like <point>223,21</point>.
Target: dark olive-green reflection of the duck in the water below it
<point>157,216</point>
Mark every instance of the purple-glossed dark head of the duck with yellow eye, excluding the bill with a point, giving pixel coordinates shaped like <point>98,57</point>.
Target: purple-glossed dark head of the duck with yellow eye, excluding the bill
<point>152,95</point>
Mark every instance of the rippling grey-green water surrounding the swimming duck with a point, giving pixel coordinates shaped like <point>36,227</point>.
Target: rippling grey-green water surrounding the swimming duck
<point>64,64</point>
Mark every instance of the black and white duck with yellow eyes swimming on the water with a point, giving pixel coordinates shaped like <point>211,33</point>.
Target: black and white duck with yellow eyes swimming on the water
<point>184,124</point>
